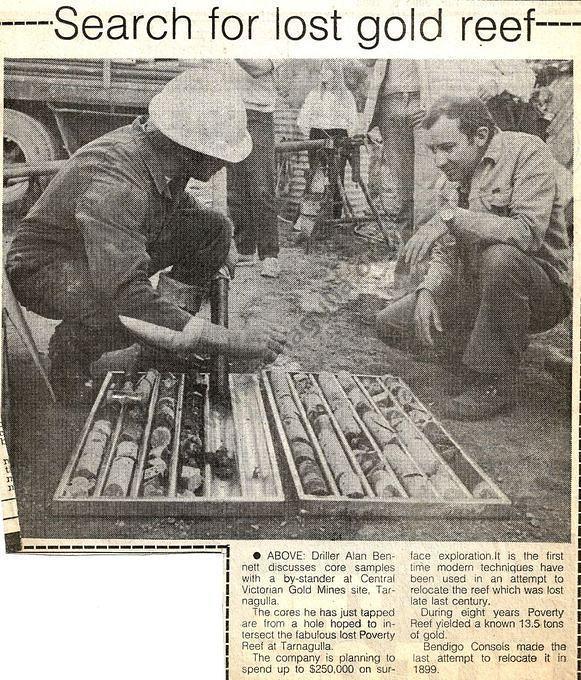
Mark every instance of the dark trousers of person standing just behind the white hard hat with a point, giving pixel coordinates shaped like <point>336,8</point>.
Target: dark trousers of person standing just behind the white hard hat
<point>251,191</point>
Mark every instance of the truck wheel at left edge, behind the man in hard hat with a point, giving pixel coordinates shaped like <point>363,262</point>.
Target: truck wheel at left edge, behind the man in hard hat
<point>26,139</point>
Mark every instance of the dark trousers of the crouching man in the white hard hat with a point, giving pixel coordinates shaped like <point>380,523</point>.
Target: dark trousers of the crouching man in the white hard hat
<point>195,242</point>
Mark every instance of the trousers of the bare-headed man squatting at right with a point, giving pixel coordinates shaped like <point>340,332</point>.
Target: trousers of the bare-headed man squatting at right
<point>488,318</point>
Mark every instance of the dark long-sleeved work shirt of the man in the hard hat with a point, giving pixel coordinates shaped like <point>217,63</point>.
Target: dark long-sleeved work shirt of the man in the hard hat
<point>108,203</point>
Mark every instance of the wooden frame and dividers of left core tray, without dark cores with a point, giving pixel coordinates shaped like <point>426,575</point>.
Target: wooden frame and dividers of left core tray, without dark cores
<point>254,489</point>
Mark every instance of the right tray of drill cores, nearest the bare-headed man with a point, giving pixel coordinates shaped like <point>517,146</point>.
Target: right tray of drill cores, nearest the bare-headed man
<point>363,445</point>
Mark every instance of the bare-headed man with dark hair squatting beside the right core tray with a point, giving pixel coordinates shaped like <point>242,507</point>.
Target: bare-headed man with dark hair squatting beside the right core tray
<point>498,256</point>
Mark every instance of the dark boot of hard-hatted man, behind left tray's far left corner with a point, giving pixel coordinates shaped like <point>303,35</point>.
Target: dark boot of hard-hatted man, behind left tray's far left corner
<point>70,364</point>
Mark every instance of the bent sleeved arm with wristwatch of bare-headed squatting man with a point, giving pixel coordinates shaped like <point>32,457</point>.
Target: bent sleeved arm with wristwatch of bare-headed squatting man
<point>528,212</point>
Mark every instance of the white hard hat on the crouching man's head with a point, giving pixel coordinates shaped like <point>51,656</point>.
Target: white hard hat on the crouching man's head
<point>208,117</point>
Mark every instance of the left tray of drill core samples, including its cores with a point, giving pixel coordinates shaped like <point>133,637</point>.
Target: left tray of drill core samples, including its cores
<point>174,453</point>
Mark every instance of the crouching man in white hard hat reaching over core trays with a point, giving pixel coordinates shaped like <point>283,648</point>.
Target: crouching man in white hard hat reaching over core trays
<point>115,214</point>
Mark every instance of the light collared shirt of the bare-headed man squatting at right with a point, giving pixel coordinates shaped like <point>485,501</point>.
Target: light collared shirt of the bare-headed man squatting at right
<point>513,199</point>
